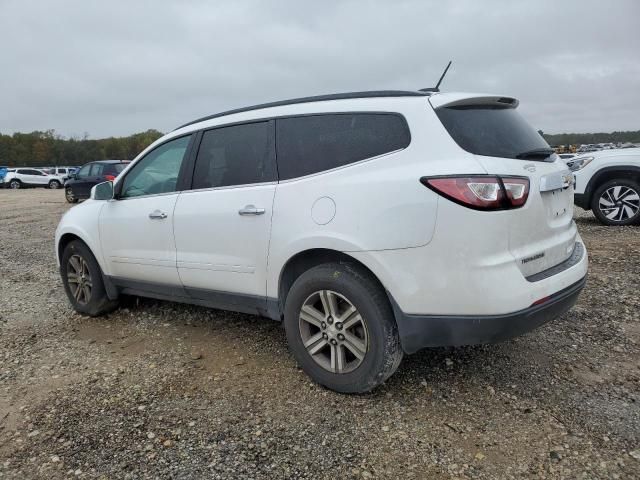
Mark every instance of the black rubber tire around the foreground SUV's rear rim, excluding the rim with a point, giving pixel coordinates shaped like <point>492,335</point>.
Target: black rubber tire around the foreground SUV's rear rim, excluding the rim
<point>384,352</point>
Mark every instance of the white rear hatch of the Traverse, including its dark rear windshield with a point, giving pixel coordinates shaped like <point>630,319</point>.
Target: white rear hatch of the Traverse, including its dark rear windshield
<point>542,233</point>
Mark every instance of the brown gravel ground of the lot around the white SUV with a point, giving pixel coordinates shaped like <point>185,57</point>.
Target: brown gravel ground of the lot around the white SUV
<point>162,390</point>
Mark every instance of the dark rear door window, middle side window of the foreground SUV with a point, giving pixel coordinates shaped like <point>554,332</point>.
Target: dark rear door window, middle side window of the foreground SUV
<point>236,155</point>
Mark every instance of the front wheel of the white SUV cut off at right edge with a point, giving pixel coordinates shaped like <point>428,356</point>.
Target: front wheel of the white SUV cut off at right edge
<point>604,195</point>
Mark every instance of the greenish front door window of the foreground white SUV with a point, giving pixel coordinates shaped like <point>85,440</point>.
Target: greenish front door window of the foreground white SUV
<point>158,171</point>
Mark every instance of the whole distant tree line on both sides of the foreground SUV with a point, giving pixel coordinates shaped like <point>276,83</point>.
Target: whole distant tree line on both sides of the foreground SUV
<point>40,149</point>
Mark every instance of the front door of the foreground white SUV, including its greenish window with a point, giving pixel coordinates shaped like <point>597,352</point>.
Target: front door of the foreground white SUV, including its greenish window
<point>136,227</point>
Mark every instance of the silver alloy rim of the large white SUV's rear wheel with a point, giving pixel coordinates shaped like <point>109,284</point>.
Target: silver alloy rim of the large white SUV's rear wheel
<point>333,331</point>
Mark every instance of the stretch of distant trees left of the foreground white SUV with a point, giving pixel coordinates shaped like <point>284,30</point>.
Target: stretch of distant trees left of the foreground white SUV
<point>40,149</point>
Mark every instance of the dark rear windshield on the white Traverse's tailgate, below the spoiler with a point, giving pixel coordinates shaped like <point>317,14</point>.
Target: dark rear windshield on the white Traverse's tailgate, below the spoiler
<point>491,131</point>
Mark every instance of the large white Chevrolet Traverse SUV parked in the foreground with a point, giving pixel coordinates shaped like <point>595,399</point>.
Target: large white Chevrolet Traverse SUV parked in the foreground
<point>372,224</point>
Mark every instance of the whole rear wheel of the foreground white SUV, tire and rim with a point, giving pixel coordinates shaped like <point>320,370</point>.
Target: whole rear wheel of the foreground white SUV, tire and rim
<point>341,329</point>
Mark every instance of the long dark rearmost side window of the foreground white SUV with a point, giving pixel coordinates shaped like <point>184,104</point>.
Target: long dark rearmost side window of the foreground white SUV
<point>315,143</point>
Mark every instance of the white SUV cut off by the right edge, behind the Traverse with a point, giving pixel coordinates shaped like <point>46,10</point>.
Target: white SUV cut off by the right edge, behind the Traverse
<point>608,183</point>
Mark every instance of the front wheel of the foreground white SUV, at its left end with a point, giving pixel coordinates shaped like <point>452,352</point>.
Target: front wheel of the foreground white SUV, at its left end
<point>82,280</point>
